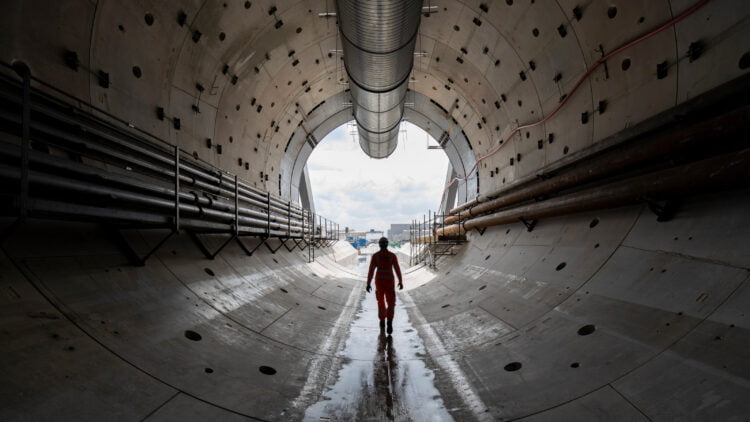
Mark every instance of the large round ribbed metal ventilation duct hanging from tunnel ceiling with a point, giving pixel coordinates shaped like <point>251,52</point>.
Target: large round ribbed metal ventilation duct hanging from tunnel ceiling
<point>378,38</point>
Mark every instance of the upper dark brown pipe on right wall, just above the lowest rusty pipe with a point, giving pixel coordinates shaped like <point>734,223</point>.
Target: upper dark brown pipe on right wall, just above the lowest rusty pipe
<point>618,160</point>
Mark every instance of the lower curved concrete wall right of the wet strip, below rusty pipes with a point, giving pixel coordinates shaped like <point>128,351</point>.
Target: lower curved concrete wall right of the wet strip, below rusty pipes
<point>667,303</point>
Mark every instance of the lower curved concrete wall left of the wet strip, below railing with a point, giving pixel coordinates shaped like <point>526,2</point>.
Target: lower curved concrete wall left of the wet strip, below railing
<point>85,336</point>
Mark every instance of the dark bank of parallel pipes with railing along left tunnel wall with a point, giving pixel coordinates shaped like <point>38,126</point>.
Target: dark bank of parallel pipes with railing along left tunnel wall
<point>63,158</point>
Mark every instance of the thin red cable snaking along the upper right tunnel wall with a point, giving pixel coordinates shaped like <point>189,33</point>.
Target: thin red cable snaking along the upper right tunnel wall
<point>580,81</point>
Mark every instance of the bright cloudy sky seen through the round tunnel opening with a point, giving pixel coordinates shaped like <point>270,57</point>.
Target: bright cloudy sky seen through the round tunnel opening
<point>363,193</point>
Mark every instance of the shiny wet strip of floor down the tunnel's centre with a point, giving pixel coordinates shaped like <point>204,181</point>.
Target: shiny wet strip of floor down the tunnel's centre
<point>382,377</point>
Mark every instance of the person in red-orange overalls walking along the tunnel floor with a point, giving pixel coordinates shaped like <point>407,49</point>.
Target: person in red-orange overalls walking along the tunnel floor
<point>385,291</point>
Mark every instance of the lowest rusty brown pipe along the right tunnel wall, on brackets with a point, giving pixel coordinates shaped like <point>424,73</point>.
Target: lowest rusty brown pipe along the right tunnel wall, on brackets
<point>721,172</point>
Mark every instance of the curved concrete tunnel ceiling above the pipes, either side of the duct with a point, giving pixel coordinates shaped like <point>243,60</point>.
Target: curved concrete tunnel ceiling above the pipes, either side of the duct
<point>247,74</point>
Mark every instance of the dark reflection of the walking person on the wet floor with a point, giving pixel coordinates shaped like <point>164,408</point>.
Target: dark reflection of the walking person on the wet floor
<point>385,369</point>
